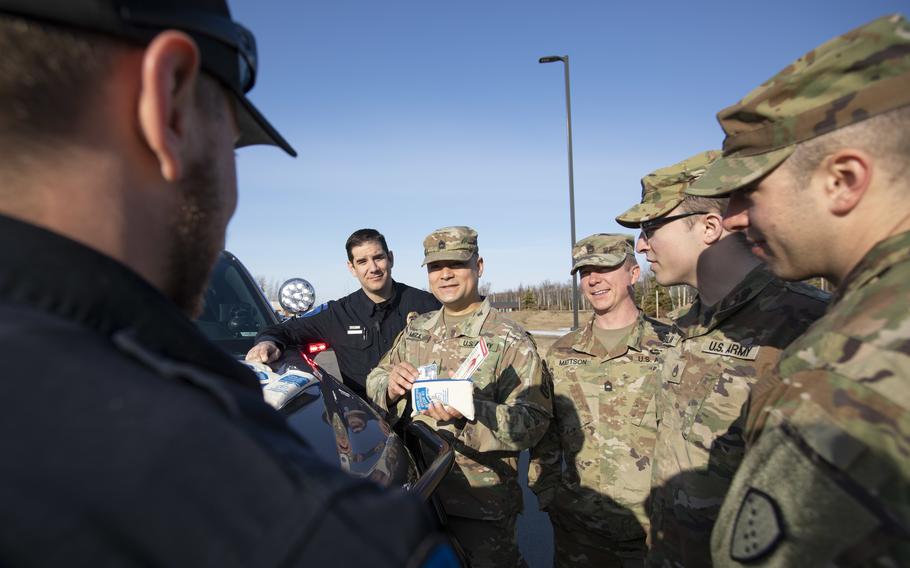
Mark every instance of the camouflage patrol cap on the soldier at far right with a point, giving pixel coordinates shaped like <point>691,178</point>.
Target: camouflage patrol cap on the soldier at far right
<point>850,78</point>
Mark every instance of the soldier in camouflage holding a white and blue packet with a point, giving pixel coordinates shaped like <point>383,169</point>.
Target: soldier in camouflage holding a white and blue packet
<point>481,495</point>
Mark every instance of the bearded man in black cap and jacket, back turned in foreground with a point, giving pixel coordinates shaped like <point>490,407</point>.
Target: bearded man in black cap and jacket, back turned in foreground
<point>129,439</point>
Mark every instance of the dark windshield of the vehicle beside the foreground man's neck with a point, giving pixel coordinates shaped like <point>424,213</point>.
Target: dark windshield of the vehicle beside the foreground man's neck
<point>235,310</point>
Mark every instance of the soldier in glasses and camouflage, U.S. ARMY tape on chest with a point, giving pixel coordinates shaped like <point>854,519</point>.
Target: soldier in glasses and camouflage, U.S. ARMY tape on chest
<point>718,348</point>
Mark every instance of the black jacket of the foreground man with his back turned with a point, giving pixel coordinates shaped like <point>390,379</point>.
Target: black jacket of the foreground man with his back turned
<point>128,439</point>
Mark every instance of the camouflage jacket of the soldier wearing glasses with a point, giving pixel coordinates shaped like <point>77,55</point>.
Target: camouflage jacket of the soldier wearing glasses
<point>715,355</point>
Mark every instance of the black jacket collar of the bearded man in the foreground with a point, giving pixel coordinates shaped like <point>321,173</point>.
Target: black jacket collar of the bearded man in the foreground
<point>48,272</point>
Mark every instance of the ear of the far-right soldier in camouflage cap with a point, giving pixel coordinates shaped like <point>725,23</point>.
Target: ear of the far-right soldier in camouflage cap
<point>847,175</point>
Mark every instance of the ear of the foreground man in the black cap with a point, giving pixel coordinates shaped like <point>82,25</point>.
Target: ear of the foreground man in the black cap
<point>170,72</point>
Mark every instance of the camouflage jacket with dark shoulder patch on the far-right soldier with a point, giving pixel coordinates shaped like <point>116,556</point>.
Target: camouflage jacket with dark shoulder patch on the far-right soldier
<point>828,467</point>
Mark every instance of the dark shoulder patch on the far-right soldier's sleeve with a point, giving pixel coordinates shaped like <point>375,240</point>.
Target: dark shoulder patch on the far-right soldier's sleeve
<point>758,529</point>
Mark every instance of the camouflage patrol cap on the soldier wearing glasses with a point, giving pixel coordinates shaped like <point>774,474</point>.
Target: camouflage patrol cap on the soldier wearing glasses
<point>664,189</point>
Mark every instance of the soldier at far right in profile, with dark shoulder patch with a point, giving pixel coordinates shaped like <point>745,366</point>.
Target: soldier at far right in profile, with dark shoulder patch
<point>817,161</point>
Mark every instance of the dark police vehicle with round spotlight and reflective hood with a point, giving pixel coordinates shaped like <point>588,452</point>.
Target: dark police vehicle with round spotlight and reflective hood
<point>343,428</point>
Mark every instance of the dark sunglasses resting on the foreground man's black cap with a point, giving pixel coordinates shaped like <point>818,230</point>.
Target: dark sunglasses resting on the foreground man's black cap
<point>213,26</point>
